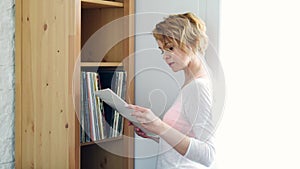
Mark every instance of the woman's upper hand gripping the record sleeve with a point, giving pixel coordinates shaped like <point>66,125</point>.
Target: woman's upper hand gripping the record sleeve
<point>147,118</point>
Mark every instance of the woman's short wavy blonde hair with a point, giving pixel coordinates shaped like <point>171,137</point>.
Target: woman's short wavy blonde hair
<point>184,31</point>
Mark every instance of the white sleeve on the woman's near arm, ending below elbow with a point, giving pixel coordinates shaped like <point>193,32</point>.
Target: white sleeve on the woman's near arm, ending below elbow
<point>197,104</point>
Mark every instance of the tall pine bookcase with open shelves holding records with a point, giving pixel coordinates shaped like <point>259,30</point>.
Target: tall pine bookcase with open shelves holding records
<point>49,39</point>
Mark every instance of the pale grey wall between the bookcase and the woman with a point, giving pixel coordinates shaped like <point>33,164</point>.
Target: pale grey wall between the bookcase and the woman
<point>156,84</point>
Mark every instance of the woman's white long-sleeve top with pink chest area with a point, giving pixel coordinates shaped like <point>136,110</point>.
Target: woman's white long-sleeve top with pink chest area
<point>191,114</point>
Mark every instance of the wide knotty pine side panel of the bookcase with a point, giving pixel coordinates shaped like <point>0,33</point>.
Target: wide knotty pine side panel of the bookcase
<point>46,69</point>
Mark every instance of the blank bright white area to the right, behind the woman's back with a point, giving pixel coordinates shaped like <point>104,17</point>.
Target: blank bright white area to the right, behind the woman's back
<point>259,49</point>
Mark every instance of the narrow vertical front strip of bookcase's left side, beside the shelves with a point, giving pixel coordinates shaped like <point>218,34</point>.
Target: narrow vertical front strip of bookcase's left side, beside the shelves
<point>74,81</point>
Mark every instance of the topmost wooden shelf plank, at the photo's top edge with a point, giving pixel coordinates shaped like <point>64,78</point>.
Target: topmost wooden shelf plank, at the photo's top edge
<point>101,4</point>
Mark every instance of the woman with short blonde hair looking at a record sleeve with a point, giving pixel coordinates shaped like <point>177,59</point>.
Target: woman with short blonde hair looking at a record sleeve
<point>186,130</point>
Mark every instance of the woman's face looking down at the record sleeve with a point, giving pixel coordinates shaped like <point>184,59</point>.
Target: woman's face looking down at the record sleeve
<point>174,57</point>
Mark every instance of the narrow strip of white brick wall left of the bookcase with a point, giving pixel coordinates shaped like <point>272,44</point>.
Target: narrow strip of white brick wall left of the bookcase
<point>7,29</point>
